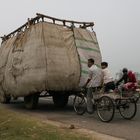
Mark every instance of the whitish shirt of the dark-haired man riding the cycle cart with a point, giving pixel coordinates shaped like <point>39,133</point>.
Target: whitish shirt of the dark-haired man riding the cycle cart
<point>95,74</point>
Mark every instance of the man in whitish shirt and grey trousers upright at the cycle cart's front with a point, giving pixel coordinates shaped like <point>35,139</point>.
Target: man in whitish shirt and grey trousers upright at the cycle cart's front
<point>93,83</point>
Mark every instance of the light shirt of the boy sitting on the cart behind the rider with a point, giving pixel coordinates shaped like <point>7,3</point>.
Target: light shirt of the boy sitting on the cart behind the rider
<point>107,77</point>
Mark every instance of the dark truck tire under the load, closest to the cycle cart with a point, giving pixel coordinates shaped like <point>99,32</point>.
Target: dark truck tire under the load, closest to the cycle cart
<point>60,100</point>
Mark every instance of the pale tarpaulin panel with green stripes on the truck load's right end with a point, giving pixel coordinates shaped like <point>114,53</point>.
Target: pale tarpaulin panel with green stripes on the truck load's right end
<point>87,46</point>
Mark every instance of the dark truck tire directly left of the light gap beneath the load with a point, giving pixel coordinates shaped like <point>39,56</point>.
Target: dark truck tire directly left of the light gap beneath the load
<point>31,101</point>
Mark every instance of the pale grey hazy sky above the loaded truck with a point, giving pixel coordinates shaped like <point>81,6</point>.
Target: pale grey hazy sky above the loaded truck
<point>117,24</point>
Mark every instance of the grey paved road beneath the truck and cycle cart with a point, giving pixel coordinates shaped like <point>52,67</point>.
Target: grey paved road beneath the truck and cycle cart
<point>128,129</point>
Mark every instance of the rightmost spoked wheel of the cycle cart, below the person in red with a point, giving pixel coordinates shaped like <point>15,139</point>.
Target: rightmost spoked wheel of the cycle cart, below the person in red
<point>127,108</point>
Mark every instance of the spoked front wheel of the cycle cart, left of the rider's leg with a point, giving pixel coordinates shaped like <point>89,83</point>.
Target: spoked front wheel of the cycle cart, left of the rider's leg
<point>79,104</point>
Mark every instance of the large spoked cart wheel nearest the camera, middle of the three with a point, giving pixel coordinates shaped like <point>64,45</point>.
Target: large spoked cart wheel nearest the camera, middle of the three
<point>105,109</point>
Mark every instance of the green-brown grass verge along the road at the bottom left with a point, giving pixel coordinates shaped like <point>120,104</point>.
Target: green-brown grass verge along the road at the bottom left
<point>17,126</point>
